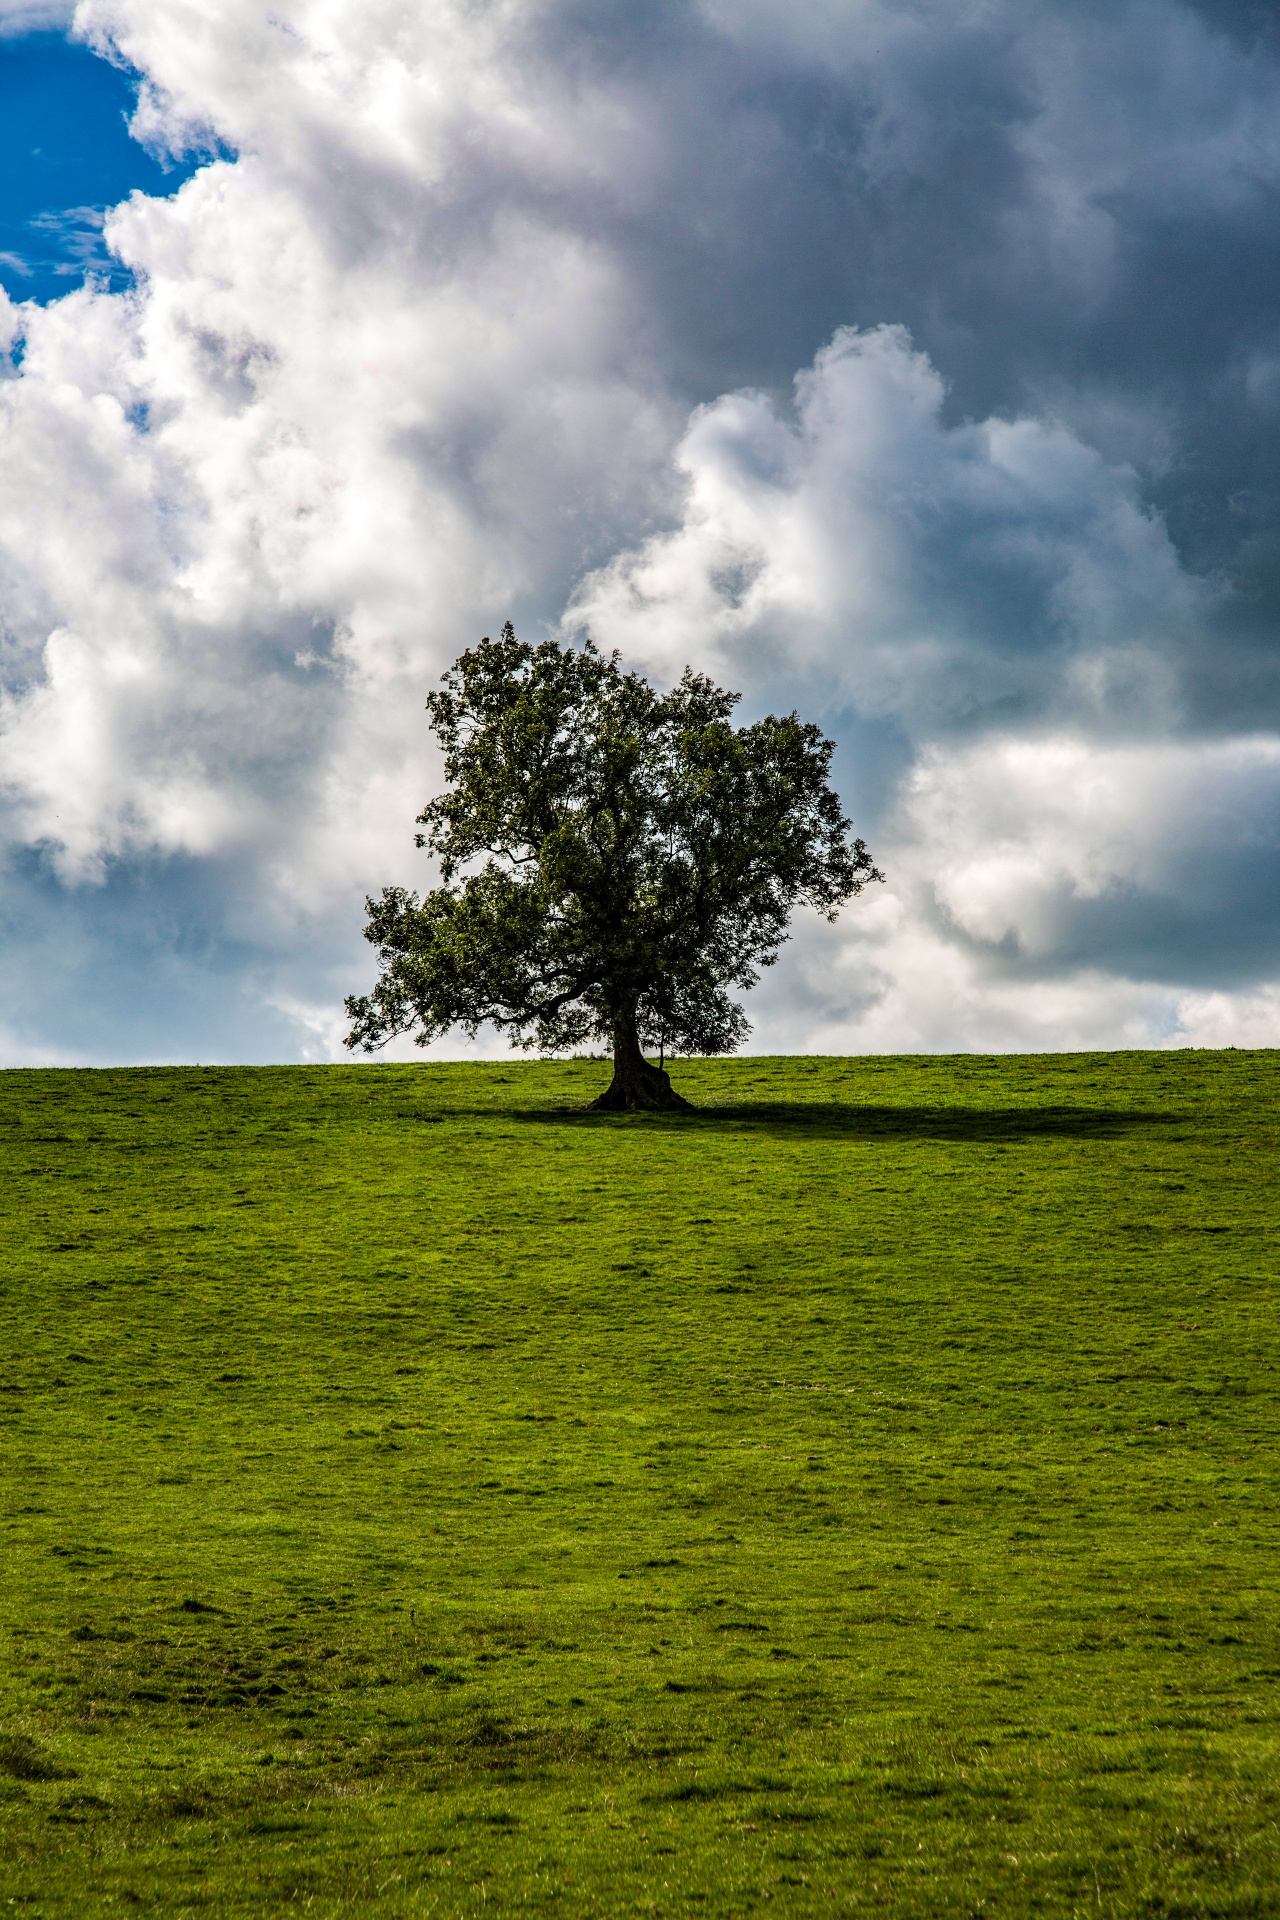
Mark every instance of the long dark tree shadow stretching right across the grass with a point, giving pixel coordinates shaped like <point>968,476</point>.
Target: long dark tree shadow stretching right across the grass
<point>836,1118</point>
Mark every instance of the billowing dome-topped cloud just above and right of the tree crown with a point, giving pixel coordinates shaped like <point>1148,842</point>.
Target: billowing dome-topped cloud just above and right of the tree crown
<point>941,575</point>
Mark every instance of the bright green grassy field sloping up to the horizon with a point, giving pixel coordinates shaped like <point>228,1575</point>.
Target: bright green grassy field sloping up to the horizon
<point>427,1499</point>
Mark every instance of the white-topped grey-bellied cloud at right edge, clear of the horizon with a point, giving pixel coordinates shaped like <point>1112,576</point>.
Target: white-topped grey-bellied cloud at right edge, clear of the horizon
<point>1158,859</point>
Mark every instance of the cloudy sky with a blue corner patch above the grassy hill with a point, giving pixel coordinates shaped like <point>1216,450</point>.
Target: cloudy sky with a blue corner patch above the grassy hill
<point>914,364</point>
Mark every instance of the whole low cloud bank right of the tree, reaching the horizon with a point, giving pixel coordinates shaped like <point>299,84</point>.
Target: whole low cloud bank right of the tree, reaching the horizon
<point>1056,892</point>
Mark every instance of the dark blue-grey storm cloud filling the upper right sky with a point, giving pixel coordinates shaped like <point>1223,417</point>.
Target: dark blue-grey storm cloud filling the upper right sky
<point>1072,210</point>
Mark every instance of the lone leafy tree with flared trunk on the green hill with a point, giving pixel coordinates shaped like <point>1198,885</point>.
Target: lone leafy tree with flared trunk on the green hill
<point>628,855</point>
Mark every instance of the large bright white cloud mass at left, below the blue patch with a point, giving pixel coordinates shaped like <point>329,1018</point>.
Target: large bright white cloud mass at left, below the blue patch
<point>273,494</point>
